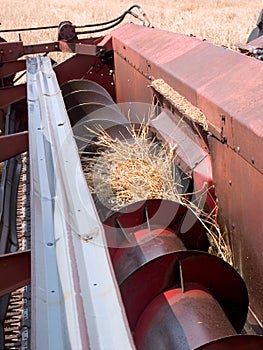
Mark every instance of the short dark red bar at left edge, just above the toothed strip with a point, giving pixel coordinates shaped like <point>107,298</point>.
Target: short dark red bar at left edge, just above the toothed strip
<point>12,145</point>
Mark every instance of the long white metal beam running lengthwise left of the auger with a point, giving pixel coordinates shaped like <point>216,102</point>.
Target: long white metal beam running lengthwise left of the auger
<point>76,303</point>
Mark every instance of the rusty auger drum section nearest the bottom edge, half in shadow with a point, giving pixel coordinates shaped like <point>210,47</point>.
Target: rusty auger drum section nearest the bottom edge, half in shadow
<point>181,320</point>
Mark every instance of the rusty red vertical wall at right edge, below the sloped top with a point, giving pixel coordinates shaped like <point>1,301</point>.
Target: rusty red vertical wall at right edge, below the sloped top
<point>239,190</point>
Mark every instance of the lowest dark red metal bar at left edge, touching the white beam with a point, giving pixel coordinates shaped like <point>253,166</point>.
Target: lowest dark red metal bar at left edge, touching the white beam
<point>15,271</point>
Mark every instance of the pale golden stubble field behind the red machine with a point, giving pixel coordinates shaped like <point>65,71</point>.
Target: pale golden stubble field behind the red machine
<point>219,21</point>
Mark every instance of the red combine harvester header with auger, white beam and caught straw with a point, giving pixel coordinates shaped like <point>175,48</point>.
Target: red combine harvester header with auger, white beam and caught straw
<point>122,264</point>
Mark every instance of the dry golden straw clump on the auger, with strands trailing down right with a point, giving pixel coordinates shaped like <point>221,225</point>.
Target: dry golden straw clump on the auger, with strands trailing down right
<point>124,171</point>
